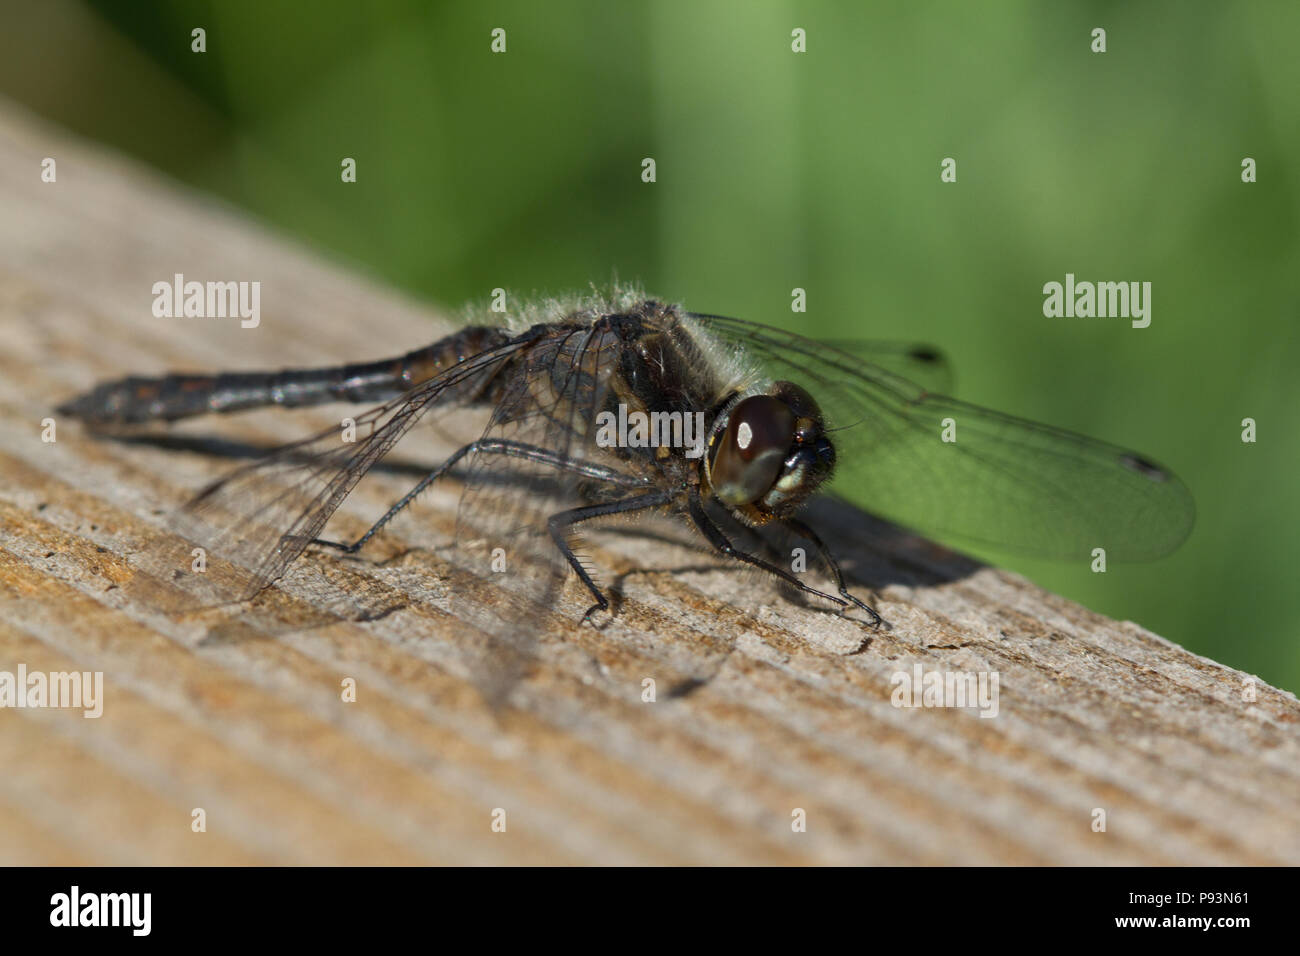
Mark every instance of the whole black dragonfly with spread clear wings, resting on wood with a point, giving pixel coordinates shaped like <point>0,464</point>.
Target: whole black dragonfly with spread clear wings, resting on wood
<point>778,417</point>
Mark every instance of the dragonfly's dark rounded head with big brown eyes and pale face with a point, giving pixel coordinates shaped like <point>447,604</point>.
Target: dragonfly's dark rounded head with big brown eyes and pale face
<point>769,453</point>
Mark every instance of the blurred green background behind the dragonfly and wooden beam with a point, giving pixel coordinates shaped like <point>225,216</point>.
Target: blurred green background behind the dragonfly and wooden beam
<point>821,171</point>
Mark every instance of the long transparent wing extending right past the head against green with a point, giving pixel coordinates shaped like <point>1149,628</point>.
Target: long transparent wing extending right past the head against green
<point>1002,481</point>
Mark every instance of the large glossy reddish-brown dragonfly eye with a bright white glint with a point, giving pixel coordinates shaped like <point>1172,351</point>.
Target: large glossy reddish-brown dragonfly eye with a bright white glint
<point>751,453</point>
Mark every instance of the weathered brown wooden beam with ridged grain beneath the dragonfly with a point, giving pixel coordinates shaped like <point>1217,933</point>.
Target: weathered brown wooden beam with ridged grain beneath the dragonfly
<point>785,711</point>
